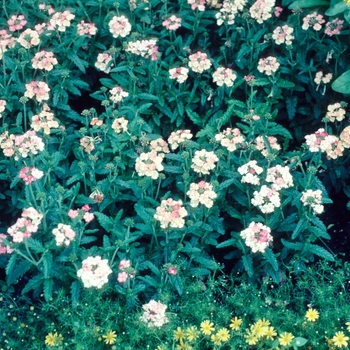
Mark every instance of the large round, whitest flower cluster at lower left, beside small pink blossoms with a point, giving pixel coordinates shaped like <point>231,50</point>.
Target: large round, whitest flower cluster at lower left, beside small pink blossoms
<point>94,272</point>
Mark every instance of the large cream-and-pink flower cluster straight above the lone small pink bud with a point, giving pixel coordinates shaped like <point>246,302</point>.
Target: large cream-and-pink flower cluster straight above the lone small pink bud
<point>170,213</point>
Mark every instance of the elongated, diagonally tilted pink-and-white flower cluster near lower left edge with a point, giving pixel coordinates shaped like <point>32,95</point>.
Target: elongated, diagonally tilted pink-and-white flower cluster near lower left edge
<point>26,225</point>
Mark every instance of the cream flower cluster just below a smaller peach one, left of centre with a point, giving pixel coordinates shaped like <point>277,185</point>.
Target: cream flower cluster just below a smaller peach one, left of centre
<point>149,164</point>
